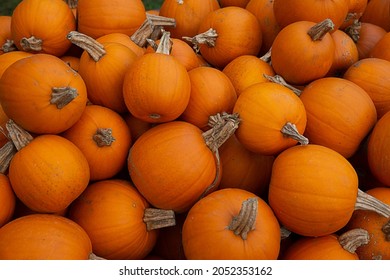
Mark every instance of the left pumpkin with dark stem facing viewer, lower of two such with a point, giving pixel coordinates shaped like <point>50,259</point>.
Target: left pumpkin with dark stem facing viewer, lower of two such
<point>104,138</point>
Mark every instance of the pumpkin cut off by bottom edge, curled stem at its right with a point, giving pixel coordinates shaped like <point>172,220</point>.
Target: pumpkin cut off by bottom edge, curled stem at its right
<point>328,247</point>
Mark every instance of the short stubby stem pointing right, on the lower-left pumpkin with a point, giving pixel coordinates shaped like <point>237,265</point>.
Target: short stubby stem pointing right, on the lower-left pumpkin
<point>158,218</point>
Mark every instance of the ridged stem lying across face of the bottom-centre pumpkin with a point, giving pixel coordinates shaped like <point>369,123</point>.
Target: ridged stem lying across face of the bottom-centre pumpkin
<point>245,221</point>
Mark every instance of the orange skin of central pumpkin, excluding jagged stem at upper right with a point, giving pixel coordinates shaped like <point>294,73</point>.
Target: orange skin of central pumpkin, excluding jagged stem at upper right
<point>171,165</point>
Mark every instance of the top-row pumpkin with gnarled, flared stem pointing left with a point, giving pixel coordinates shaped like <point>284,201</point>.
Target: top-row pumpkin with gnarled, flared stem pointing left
<point>227,33</point>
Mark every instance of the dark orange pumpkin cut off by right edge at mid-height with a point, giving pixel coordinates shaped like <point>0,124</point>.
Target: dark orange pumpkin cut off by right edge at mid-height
<point>378,150</point>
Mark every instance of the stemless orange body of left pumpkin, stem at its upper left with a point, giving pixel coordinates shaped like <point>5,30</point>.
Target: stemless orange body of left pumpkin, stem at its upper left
<point>49,173</point>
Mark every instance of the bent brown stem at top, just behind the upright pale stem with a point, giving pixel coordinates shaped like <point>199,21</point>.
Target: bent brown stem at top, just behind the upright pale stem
<point>151,28</point>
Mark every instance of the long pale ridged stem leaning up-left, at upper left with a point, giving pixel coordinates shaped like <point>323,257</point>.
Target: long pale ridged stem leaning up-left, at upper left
<point>87,43</point>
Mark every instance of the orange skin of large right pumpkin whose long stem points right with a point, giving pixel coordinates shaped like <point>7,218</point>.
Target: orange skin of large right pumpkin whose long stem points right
<point>313,190</point>
